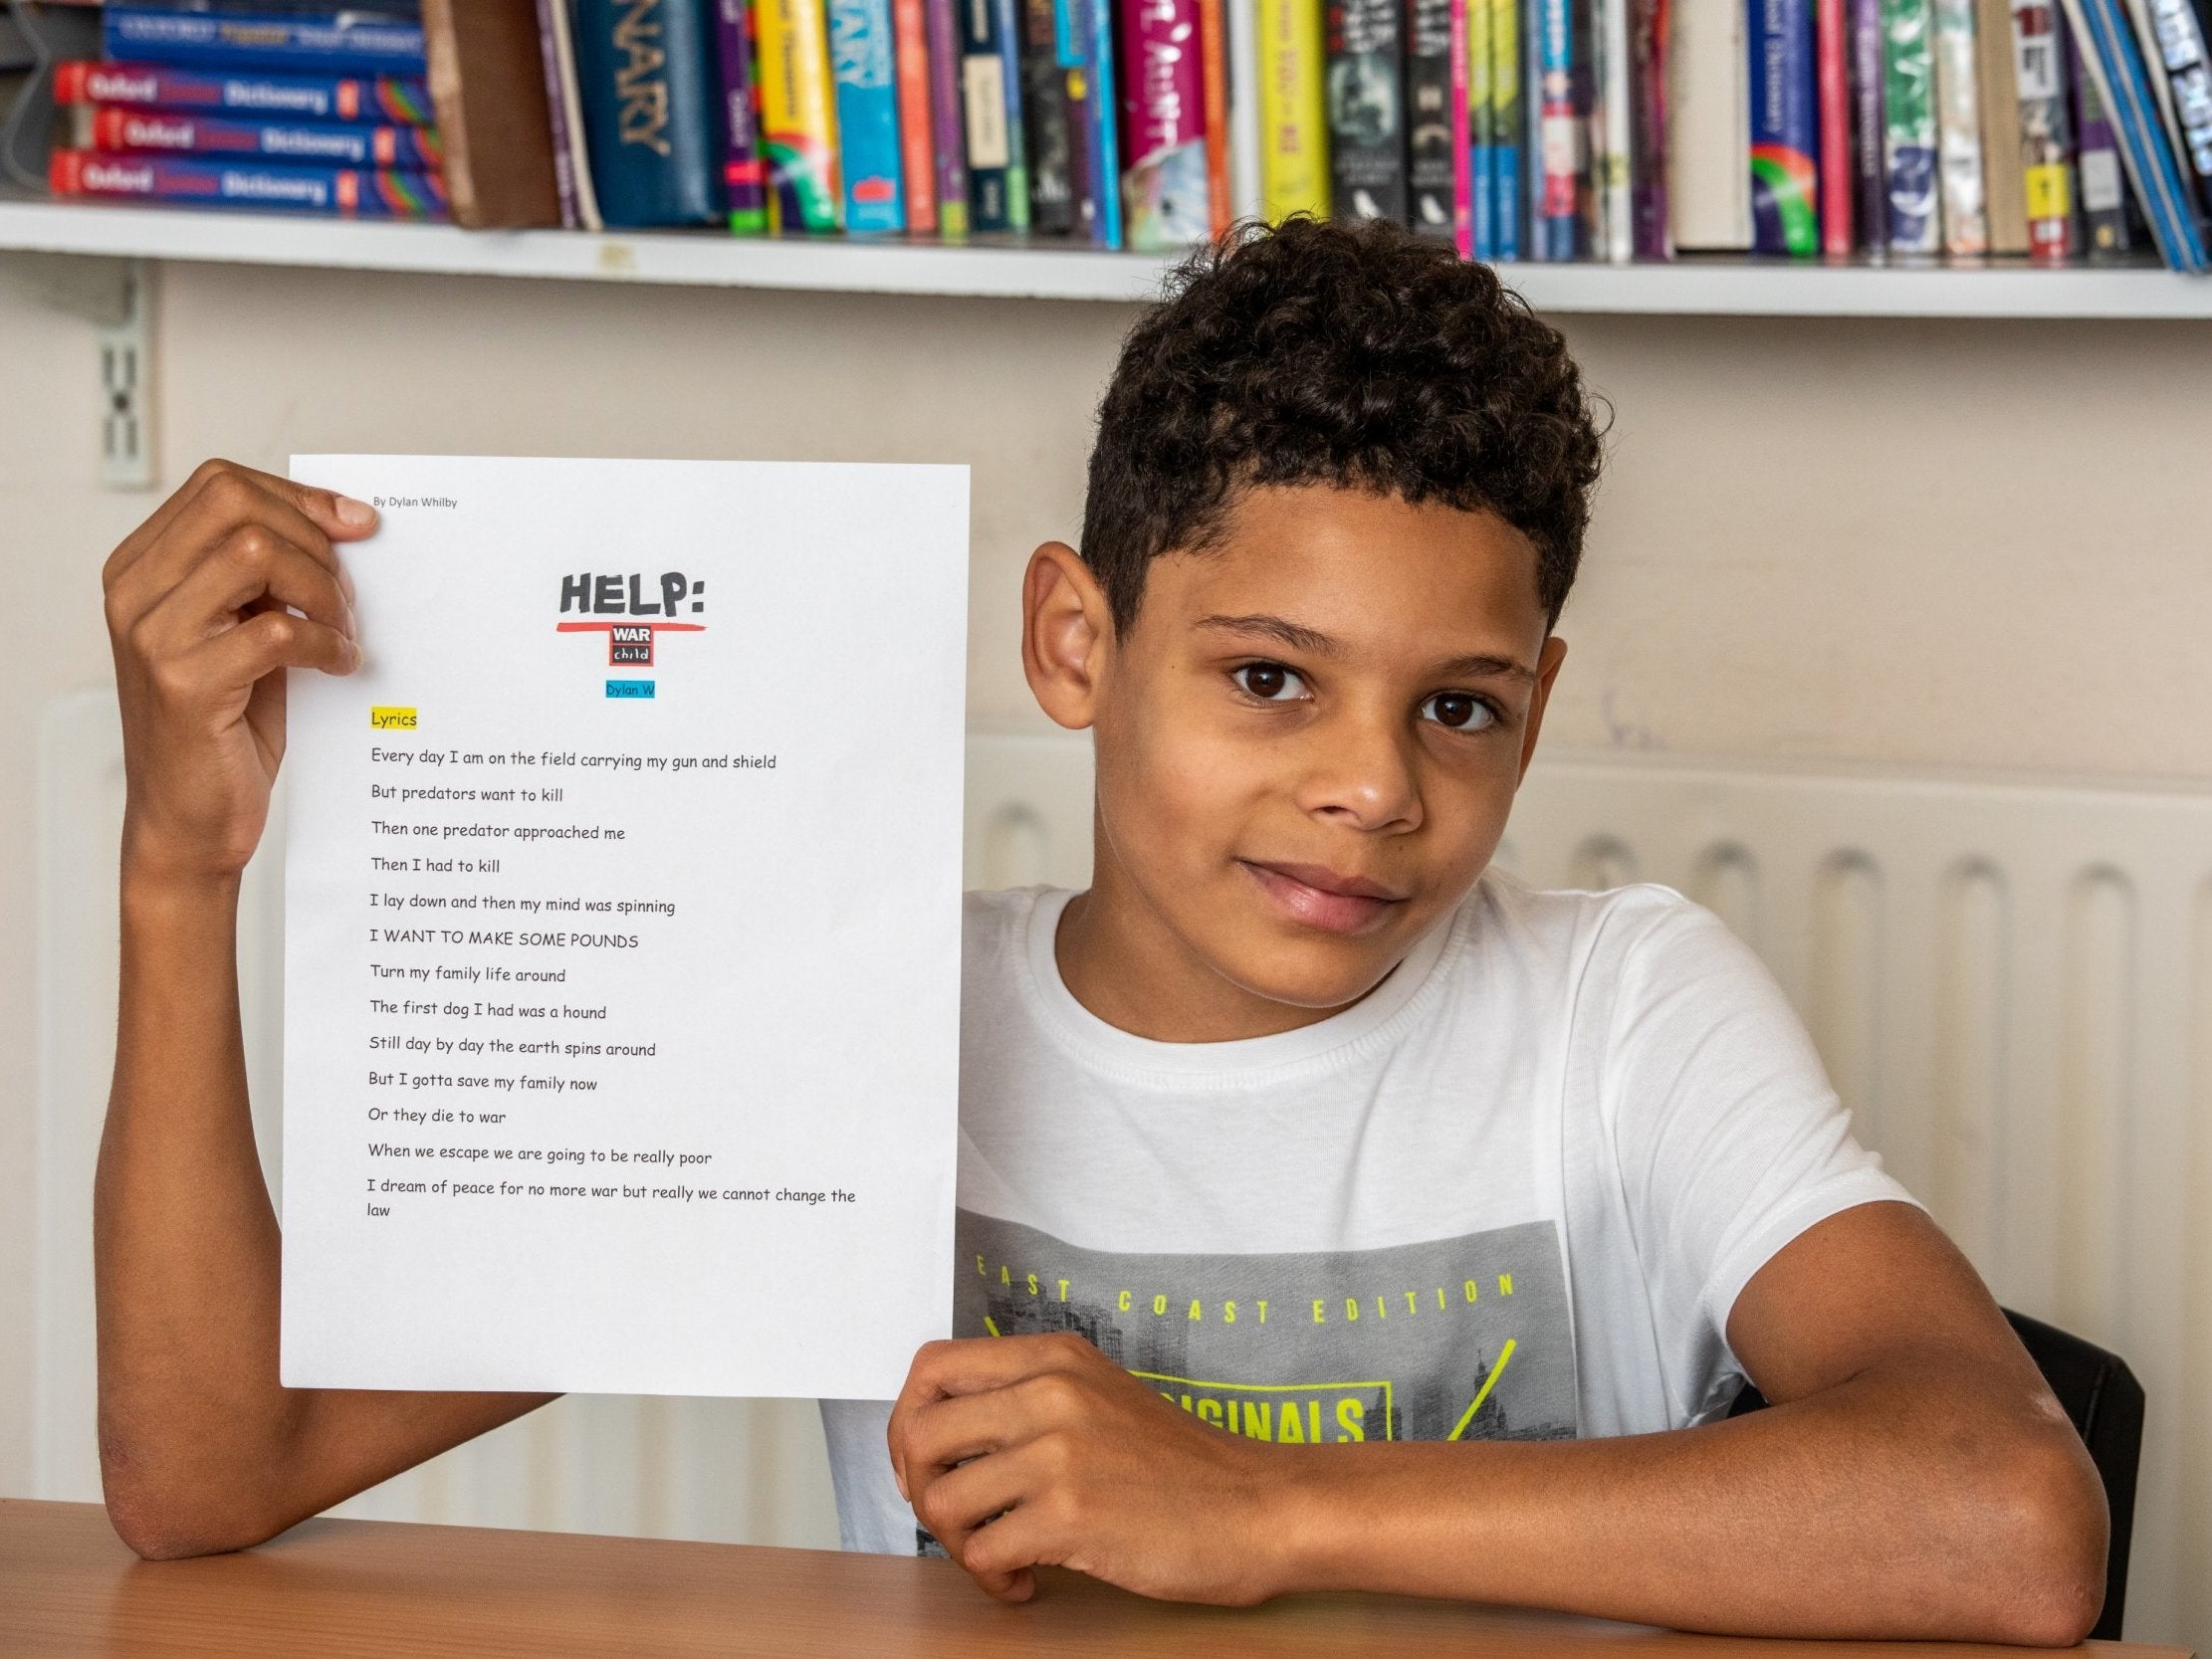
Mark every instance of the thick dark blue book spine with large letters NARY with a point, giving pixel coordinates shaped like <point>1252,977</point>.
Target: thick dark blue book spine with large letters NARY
<point>651,94</point>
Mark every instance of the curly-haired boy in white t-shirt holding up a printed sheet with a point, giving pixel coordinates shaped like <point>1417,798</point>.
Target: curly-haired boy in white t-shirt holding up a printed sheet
<point>1293,1094</point>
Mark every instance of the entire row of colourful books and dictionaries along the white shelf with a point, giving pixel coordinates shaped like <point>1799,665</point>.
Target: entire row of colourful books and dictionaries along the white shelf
<point>1519,129</point>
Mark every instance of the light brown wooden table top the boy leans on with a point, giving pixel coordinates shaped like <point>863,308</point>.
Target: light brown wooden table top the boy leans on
<point>333,1589</point>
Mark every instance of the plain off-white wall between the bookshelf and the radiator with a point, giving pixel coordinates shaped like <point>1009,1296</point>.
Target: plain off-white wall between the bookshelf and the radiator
<point>1963,545</point>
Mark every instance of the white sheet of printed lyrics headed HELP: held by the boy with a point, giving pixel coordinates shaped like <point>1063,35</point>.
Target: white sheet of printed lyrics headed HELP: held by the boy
<point>623,930</point>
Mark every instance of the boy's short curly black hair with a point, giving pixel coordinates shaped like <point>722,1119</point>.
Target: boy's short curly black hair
<point>1337,355</point>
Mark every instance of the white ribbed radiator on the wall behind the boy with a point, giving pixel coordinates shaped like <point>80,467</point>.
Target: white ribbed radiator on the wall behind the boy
<point>2010,981</point>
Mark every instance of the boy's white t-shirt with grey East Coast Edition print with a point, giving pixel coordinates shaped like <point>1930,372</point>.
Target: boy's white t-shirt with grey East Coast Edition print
<point>1512,1193</point>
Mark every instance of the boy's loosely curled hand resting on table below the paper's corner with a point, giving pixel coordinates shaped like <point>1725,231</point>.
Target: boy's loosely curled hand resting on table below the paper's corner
<point>1041,1452</point>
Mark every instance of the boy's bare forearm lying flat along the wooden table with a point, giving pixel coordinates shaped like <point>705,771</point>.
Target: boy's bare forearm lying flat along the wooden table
<point>1884,1507</point>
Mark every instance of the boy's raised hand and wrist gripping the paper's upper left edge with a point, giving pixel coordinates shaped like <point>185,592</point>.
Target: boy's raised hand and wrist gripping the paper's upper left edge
<point>200,605</point>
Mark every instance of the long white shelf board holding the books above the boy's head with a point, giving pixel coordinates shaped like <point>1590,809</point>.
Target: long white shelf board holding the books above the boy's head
<point>707,260</point>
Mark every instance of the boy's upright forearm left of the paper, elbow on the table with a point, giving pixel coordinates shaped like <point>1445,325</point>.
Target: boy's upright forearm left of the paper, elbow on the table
<point>185,1233</point>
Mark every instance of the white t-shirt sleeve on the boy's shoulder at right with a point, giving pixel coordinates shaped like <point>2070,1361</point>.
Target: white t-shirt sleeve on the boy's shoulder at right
<point>1731,1138</point>
